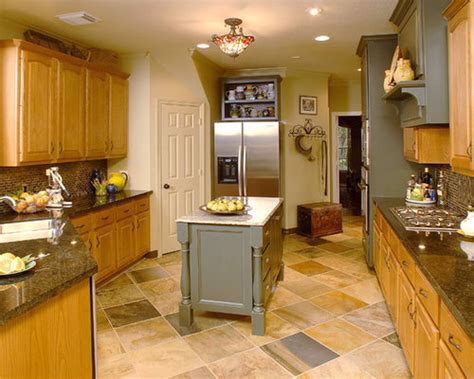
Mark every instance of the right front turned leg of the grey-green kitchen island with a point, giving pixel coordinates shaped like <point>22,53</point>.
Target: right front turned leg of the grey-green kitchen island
<point>258,311</point>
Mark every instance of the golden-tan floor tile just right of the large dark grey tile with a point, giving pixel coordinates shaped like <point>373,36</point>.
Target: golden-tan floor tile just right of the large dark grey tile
<point>340,336</point>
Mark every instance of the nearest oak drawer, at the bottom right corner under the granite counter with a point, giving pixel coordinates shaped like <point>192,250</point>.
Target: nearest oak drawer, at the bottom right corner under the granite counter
<point>457,341</point>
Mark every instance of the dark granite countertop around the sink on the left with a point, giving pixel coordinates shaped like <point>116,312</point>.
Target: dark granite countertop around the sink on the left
<point>68,263</point>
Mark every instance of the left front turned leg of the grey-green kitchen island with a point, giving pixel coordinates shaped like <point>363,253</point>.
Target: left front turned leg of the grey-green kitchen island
<point>185,310</point>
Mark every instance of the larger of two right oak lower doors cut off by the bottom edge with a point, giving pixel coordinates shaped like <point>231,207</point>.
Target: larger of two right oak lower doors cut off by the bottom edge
<point>426,344</point>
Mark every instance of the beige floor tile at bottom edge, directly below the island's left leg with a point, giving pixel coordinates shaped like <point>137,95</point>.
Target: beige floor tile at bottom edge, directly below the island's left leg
<point>165,360</point>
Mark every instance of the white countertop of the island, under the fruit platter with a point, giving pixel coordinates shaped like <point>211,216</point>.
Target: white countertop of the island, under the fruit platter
<point>262,209</point>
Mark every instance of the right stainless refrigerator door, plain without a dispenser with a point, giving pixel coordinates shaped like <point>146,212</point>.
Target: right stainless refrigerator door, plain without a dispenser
<point>261,159</point>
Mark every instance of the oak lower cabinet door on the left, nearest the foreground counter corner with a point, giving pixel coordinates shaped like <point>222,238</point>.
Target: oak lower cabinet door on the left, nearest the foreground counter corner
<point>104,250</point>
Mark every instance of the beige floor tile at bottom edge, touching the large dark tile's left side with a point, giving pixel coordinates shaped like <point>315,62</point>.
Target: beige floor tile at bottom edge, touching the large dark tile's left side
<point>251,364</point>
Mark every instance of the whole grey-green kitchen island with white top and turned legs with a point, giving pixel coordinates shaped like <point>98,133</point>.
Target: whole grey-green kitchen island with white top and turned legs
<point>231,264</point>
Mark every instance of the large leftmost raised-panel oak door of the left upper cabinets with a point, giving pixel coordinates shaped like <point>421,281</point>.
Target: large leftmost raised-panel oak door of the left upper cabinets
<point>38,107</point>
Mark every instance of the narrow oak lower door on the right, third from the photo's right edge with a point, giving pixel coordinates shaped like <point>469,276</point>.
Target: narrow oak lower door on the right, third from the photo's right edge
<point>406,323</point>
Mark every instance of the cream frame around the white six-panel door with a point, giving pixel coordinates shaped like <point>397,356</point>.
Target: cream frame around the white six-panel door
<point>203,172</point>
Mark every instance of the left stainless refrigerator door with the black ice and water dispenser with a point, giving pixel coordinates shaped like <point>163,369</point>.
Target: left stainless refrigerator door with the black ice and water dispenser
<point>227,158</point>
